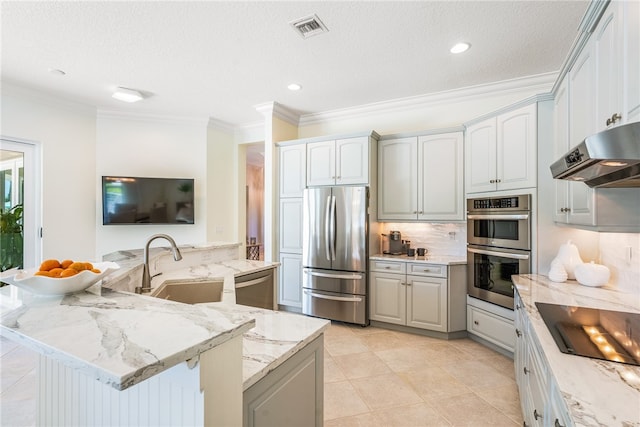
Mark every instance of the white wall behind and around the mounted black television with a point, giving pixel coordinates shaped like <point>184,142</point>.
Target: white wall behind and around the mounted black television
<point>129,145</point>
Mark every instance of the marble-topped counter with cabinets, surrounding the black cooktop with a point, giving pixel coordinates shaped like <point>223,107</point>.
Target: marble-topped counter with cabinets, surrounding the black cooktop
<point>572,390</point>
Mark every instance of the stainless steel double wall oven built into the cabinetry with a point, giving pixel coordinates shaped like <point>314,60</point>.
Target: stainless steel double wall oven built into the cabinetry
<point>498,246</point>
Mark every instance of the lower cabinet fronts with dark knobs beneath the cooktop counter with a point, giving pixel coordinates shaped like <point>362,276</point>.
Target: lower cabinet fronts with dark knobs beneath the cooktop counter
<point>541,402</point>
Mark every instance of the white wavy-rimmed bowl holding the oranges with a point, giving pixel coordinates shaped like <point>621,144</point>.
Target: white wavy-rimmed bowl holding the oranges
<point>42,285</point>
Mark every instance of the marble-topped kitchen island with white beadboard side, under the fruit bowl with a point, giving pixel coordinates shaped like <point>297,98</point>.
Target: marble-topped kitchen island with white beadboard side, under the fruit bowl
<point>114,357</point>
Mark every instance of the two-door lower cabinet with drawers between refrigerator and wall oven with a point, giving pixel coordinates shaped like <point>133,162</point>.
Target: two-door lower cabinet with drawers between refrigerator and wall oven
<point>418,295</point>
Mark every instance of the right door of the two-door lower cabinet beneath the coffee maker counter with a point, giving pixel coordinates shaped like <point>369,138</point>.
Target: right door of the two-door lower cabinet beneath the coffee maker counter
<point>427,303</point>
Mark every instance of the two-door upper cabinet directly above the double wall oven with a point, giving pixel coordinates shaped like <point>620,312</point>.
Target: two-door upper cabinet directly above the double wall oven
<point>501,152</point>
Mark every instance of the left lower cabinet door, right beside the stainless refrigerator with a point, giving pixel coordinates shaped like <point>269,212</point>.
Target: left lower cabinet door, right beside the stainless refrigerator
<point>388,297</point>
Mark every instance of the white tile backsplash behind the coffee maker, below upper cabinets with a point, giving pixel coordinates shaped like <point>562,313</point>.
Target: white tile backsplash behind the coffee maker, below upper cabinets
<point>439,238</point>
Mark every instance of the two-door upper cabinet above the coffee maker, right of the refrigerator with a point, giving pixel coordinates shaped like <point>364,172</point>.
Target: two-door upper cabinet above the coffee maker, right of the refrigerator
<point>420,178</point>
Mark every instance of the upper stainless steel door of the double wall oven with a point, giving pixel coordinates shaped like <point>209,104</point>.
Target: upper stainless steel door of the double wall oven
<point>511,230</point>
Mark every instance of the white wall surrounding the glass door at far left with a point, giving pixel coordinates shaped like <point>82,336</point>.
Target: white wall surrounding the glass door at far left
<point>67,134</point>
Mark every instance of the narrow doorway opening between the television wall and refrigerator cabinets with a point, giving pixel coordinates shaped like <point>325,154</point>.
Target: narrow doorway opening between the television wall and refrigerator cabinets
<point>255,201</point>
